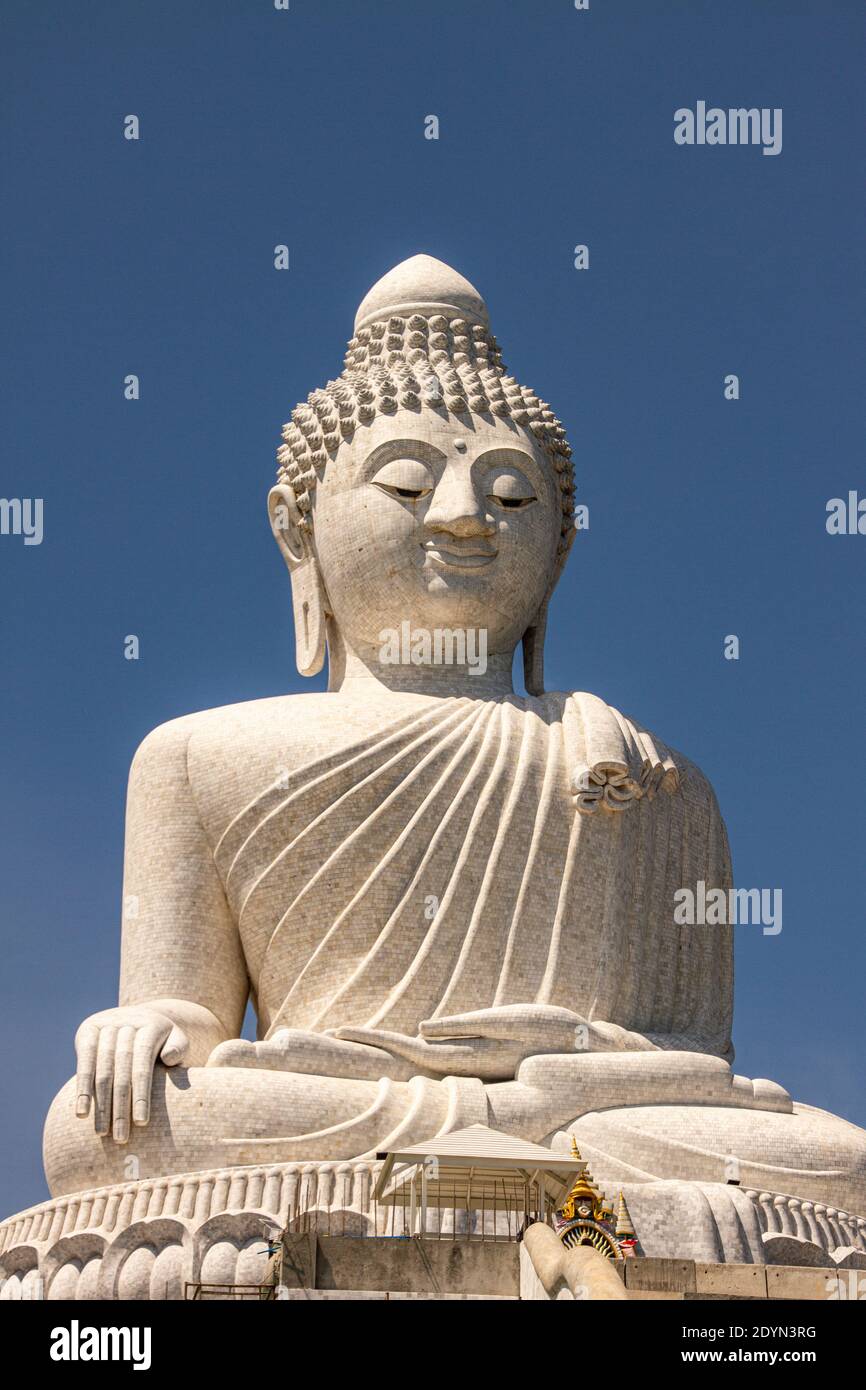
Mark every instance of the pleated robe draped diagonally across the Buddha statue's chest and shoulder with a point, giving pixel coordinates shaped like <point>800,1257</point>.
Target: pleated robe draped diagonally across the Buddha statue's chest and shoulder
<point>444,865</point>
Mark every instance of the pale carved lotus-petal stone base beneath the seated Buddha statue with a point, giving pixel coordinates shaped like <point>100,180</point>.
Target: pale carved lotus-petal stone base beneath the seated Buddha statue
<point>148,1239</point>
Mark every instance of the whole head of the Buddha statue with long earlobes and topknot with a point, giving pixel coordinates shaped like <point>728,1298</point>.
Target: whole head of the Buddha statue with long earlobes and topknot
<point>423,487</point>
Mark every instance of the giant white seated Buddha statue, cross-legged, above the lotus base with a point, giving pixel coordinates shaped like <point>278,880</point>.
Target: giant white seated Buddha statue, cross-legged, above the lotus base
<point>448,904</point>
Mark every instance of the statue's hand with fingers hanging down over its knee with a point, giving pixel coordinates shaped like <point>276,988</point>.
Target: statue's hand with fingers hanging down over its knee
<point>119,1049</point>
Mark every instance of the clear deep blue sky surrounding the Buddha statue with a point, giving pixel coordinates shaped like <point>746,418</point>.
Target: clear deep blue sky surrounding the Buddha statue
<point>307,127</point>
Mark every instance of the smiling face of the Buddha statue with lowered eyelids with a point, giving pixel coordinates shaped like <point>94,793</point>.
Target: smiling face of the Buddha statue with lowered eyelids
<point>439,522</point>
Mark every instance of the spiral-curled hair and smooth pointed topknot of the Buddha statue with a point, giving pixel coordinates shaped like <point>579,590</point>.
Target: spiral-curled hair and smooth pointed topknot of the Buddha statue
<point>422,341</point>
